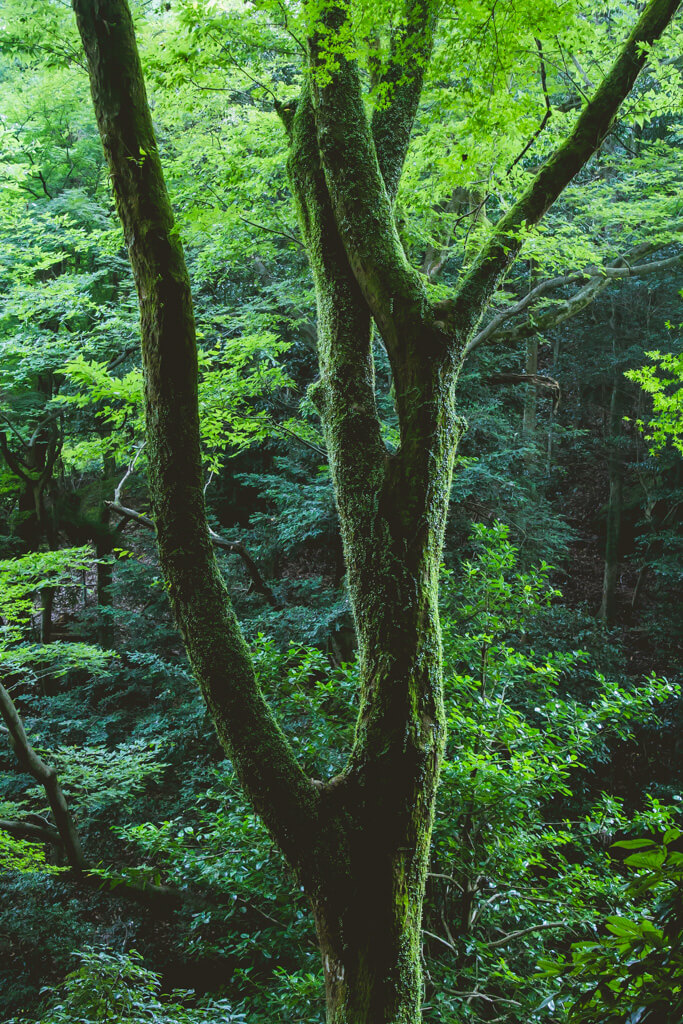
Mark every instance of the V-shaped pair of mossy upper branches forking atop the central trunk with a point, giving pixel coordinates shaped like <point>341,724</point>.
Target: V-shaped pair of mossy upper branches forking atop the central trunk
<point>362,202</point>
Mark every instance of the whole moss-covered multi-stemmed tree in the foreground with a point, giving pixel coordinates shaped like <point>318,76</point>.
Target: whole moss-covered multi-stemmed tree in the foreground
<point>360,842</point>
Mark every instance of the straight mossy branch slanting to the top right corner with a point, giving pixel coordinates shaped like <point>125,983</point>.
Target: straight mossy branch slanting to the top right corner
<point>591,129</point>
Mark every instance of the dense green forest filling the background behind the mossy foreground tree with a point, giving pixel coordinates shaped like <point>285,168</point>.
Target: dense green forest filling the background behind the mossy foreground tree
<point>138,884</point>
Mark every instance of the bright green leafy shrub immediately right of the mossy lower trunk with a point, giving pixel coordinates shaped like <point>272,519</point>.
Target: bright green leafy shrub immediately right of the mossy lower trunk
<point>513,869</point>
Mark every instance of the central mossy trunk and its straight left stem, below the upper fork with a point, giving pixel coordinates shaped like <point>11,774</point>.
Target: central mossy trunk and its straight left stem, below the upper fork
<point>393,514</point>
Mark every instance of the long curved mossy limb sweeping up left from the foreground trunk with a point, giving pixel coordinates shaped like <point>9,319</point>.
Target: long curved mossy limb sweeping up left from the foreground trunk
<point>265,761</point>
